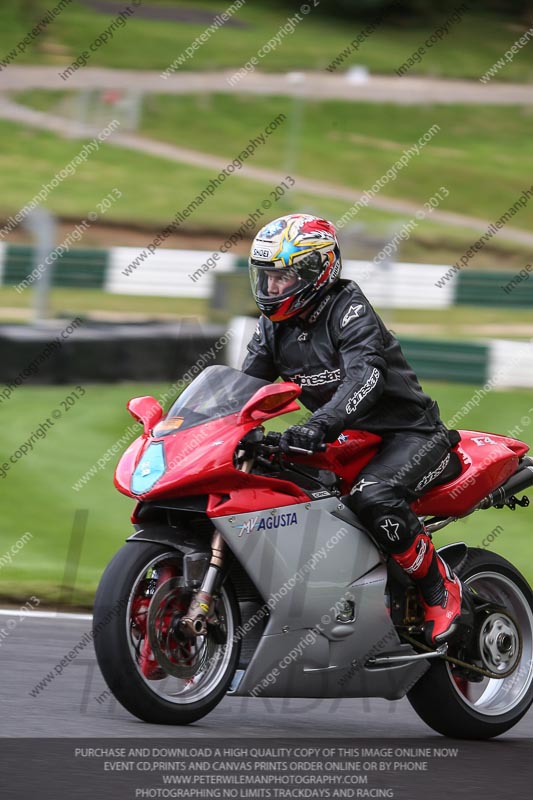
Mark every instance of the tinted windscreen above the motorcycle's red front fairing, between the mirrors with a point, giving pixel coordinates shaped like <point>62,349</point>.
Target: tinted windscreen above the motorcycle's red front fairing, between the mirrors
<point>217,392</point>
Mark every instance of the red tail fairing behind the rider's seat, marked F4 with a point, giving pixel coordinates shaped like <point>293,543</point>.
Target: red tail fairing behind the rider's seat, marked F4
<point>488,460</point>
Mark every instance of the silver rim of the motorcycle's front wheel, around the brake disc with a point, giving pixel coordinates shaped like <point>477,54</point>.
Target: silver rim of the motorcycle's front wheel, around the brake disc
<point>203,665</point>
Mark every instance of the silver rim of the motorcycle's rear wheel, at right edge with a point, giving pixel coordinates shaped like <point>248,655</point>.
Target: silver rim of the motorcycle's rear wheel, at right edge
<point>498,636</point>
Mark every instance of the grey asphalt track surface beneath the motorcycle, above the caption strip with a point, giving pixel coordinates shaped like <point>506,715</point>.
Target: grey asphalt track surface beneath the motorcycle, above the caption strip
<point>71,705</point>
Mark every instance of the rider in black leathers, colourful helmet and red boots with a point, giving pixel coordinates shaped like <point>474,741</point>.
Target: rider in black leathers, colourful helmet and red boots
<point>322,333</point>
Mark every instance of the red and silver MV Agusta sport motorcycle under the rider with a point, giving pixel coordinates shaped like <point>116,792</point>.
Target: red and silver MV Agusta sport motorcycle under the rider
<point>247,575</point>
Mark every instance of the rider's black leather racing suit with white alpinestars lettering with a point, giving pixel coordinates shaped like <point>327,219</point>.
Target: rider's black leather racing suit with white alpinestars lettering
<point>353,374</point>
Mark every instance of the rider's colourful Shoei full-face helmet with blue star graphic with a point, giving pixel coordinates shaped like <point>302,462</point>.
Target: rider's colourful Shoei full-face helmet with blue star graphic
<point>294,260</point>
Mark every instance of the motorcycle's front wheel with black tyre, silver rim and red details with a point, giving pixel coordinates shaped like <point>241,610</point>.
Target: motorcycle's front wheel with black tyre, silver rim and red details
<point>154,670</point>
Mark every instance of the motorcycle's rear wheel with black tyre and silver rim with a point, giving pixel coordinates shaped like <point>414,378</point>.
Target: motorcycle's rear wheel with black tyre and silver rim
<point>468,707</point>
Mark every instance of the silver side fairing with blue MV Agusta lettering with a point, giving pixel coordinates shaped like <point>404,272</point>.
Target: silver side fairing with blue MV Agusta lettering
<point>307,561</point>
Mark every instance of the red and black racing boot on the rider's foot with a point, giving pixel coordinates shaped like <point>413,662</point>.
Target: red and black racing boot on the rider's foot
<point>440,590</point>
